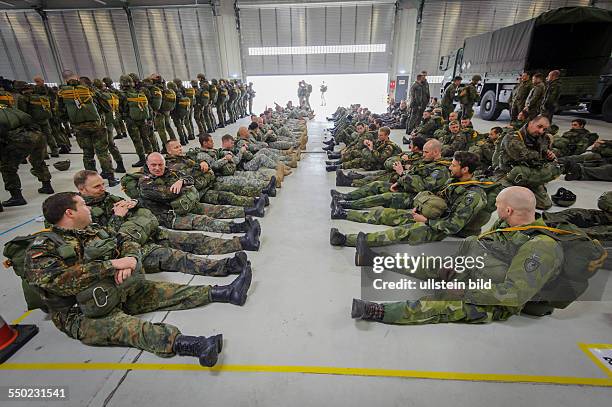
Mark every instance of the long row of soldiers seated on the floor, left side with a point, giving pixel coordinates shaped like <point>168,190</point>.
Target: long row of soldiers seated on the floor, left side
<point>88,269</point>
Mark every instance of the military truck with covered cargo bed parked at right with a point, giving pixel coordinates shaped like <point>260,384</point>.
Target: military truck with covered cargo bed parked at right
<point>575,40</point>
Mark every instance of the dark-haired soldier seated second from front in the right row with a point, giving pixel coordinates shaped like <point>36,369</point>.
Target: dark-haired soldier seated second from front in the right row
<point>466,201</point>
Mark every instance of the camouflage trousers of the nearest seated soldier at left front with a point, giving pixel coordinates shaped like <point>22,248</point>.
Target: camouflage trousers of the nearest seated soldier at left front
<point>121,328</point>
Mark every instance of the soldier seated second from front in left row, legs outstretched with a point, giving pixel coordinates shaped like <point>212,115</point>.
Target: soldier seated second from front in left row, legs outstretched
<point>171,250</point>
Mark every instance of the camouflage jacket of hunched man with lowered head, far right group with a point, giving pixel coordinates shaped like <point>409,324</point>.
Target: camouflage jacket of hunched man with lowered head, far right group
<point>521,148</point>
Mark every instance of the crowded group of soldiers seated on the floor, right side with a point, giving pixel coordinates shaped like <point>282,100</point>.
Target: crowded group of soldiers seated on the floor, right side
<point>439,189</point>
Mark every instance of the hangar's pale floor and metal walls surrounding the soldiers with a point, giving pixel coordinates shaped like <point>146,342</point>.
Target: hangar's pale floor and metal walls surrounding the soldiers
<point>294,340</point>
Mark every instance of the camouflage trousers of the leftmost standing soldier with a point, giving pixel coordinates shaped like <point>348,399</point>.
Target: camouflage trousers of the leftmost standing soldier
<point>24,144</point>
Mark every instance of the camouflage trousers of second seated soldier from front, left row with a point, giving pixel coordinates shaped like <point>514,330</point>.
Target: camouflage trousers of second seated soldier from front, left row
<point>157,258</point>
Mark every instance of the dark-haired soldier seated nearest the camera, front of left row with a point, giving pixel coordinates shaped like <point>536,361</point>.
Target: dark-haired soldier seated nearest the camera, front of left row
<point>81,267</point>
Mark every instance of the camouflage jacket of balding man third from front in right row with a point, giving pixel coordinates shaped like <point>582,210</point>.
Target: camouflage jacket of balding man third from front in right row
<point>425,176</point>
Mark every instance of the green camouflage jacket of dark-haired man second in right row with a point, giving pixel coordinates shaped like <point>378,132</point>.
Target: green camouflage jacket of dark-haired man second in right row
<point>464,203</point>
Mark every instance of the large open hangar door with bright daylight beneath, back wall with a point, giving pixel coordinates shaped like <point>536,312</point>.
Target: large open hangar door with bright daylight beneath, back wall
<point>346,44</point>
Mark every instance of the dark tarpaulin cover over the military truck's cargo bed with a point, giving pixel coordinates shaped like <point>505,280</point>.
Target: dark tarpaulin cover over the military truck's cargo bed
<point>507,49</point>
